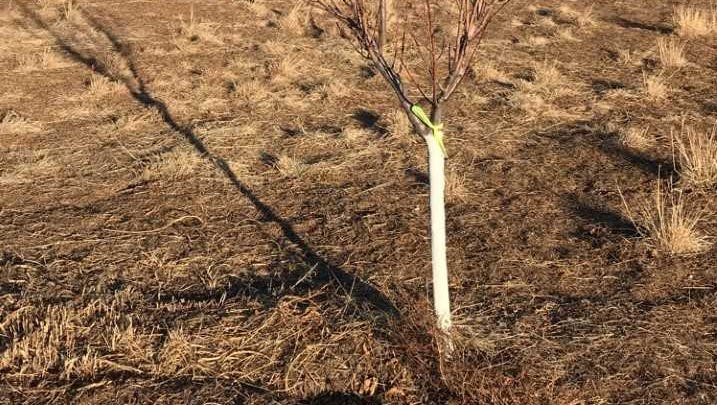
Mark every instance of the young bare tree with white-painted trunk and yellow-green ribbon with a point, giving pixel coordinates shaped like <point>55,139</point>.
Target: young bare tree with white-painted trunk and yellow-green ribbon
<point>444,36</point>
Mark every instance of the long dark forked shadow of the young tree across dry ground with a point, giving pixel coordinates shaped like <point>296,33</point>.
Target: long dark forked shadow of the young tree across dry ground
<point>324,271</point>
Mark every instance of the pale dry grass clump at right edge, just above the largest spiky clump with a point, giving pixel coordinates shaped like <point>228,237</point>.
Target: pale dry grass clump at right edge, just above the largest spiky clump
<point>695,155</point>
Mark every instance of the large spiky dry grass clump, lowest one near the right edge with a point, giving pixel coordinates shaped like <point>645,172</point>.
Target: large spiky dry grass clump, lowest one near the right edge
<point>667,222</point>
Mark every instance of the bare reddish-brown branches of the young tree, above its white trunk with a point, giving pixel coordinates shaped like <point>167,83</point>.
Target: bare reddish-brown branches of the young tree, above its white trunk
<point>446,65</point>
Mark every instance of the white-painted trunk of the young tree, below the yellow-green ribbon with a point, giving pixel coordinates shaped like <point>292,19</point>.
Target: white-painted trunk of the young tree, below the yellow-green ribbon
<point>441,298</point>
